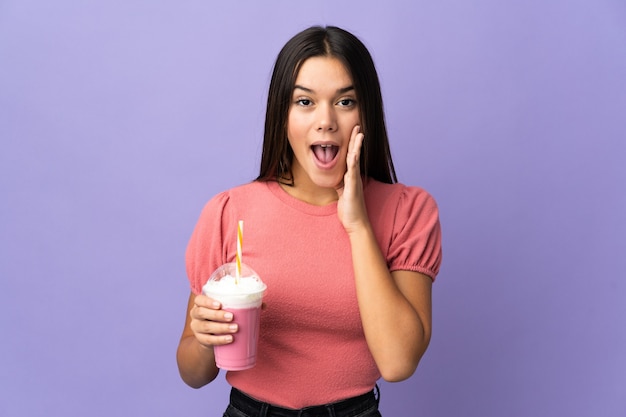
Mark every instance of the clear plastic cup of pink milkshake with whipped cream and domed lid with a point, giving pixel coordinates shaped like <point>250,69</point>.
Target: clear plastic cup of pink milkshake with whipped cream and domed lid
<point>243,297</point>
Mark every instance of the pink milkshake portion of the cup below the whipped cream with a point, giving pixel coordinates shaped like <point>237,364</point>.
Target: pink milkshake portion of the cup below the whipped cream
<point>241,354</point>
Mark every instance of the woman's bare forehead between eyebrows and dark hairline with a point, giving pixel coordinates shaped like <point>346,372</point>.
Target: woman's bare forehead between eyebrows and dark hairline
<point>323,72</point>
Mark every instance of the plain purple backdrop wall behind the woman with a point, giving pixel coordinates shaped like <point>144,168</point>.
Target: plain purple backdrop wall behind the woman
<point>119,119</point>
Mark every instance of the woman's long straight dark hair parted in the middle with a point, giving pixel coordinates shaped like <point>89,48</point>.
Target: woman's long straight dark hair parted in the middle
<point>337,43</point>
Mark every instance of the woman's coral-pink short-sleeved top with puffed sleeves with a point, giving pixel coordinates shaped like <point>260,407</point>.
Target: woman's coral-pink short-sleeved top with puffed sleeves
<point>311,349</point>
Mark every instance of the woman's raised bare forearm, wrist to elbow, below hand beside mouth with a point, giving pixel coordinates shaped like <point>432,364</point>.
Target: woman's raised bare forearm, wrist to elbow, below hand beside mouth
<point>397,335</point>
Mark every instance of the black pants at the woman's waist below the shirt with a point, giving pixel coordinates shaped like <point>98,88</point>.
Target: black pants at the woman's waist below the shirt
<point>365,405</point>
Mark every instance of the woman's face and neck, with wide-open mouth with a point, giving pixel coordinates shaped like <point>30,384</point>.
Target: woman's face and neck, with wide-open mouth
<point>322,114</point>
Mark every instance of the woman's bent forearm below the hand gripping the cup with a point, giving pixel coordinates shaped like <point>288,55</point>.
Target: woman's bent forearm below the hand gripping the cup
<point>196,363</point>
